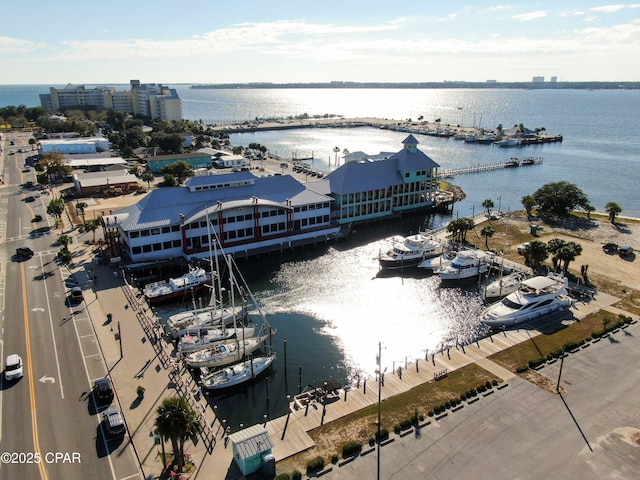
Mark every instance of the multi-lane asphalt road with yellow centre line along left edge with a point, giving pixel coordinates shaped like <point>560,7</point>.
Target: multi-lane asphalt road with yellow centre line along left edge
<point>50,424</point>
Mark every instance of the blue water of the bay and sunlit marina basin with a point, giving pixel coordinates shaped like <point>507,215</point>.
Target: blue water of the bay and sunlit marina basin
<point>329,303</point>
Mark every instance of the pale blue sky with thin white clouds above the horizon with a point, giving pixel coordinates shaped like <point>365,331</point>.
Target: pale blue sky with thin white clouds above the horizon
<point>280,41</point>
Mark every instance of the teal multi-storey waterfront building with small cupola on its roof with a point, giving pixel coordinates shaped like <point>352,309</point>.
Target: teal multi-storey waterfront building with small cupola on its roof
<point>376,187</point>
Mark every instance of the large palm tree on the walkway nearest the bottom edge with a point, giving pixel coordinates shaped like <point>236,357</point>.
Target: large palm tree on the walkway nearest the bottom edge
<point>177,421</point>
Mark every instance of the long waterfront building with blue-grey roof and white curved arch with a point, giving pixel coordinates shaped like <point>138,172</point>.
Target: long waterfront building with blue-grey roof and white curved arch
<point>249,215</point>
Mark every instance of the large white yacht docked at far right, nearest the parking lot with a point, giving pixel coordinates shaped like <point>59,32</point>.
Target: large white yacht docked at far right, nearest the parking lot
<point>536,297</point>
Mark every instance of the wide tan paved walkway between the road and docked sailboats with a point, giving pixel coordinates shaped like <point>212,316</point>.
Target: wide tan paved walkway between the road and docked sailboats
<point>139,357</point>
